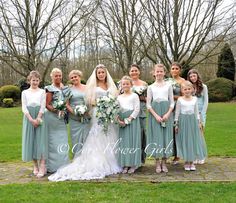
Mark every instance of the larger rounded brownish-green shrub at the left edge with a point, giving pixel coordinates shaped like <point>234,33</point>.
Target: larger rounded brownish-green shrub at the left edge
<point>10,91</point>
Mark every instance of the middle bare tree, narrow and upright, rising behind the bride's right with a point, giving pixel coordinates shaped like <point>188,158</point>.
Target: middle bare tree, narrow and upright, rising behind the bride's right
<point>120,21</point>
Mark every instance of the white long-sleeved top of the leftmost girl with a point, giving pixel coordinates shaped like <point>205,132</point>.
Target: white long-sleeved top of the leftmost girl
<point>33,98</point>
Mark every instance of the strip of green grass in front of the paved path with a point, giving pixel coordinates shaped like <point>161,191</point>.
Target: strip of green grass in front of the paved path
<point>119,192</point>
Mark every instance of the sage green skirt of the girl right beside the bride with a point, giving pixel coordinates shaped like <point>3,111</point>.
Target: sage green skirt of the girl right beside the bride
<point>129,151</point>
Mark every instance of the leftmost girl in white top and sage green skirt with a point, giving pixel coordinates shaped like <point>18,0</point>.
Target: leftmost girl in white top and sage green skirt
<point>33,132</point>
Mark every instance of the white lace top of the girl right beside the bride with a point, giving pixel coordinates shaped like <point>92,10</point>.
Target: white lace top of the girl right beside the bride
<point>130,102</point>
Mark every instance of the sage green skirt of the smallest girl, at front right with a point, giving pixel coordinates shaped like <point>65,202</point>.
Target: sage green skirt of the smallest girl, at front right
<point>189,140</point>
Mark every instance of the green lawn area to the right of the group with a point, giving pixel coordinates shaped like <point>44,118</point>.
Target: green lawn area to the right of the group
<point>221,129</point>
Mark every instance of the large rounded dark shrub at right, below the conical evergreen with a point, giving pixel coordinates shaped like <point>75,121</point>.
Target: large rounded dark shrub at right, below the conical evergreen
<point>220,89</point>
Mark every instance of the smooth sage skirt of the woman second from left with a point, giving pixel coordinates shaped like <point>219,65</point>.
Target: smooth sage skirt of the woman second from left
<point>58,147</point>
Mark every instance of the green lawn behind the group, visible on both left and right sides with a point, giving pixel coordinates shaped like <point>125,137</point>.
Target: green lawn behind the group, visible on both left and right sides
<point>220,131</point>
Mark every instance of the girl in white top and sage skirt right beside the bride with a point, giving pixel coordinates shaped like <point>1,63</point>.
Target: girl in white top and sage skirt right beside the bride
<point>130,131</point>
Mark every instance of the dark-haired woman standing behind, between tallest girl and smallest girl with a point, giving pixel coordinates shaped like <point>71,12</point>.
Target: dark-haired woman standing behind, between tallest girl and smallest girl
<point>175,72</point>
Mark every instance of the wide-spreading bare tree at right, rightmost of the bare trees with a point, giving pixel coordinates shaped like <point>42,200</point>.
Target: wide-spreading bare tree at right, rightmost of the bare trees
<point>176,30</point>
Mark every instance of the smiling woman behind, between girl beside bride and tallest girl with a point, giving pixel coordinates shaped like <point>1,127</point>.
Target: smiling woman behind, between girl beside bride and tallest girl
<point>140,87</point>
